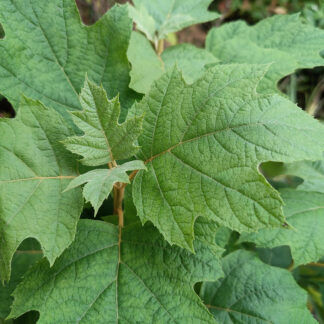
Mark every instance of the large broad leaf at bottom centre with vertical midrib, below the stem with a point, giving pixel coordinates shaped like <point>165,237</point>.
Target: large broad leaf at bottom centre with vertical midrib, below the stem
<point>103,278</point>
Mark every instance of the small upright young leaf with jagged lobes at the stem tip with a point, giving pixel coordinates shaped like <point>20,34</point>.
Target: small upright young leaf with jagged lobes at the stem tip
<point>104,139</point>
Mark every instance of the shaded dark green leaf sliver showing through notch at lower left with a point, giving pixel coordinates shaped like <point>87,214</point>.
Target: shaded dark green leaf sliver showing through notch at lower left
<point>27,254</point>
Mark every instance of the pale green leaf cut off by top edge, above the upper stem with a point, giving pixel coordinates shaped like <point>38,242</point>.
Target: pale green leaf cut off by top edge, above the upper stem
<point>156,19</point>
